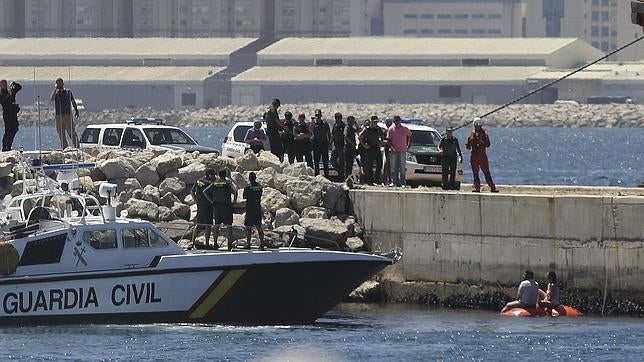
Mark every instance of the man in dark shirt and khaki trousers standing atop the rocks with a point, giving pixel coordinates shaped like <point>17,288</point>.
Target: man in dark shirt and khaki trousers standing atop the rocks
<point>64,100</point>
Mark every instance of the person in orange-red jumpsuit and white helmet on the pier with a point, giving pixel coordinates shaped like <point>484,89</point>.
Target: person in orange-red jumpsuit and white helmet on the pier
<point>478,141</point>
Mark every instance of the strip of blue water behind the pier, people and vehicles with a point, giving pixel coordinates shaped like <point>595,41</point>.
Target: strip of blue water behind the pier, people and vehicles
<point>522,156</point>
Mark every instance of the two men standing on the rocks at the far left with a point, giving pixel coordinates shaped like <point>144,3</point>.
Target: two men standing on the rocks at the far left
<point>63,102</point>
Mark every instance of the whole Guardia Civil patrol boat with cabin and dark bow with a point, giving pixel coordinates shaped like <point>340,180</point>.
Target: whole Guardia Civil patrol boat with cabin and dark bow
<point>67,260</point>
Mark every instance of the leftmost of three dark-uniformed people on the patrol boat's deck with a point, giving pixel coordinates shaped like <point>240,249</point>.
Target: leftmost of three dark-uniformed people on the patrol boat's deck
<point>202,194</point>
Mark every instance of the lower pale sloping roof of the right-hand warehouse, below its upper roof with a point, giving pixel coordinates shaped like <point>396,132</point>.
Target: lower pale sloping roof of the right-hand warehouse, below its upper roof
<point>378,75</point>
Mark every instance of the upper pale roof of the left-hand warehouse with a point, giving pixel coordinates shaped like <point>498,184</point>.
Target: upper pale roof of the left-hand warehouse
<point>100,48</point>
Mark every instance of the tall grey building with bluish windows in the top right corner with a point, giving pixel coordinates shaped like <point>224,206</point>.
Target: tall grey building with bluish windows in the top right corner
<point>605,24</point>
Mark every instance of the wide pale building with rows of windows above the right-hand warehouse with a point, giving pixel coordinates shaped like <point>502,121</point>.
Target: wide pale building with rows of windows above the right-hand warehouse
<point>453,19</point>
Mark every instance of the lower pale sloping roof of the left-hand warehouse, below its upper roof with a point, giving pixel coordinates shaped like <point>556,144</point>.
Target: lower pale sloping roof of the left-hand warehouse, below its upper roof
<point>107,75</point>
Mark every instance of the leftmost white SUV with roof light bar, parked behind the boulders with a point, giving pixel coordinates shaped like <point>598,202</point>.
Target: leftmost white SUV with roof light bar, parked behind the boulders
<point>142,133</point>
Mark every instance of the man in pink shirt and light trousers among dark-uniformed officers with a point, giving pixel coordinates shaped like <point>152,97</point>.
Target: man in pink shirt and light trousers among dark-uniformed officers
<point>399,140</point>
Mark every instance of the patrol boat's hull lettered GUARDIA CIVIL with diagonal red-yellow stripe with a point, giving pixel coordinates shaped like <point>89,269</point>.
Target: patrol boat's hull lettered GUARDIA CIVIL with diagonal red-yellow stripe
<point>257,294</point>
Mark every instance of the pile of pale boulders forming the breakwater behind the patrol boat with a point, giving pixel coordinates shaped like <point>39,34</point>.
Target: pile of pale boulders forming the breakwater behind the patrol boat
<point>156,186</point>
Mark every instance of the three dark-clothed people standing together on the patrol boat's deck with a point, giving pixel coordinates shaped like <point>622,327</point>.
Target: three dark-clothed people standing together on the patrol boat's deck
<point>215,196</point>
